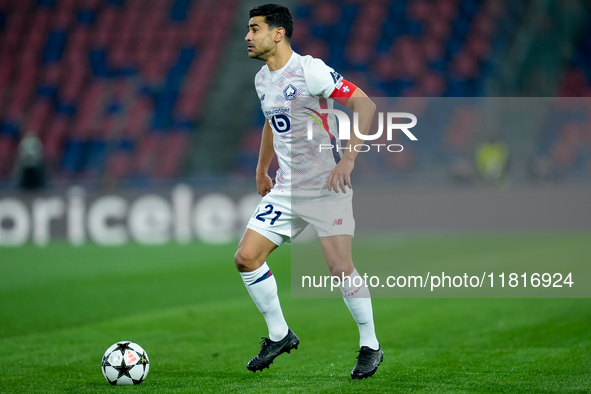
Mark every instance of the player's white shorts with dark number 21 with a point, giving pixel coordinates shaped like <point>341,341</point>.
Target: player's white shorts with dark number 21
<point>281,216</point>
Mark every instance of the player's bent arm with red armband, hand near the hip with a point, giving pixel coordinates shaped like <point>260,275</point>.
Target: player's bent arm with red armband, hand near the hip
<point>361,104</point>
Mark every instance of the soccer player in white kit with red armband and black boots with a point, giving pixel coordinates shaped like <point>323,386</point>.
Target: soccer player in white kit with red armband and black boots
<point>317,180</point>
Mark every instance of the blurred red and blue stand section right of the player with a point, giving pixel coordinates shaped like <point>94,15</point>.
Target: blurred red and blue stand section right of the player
<point>454,48</point>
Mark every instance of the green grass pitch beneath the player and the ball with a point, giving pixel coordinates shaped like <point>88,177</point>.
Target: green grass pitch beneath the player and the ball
<point>62,306</point>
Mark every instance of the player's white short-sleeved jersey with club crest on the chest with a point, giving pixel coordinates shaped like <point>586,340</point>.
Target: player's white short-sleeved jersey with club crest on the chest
<point>290,97</point>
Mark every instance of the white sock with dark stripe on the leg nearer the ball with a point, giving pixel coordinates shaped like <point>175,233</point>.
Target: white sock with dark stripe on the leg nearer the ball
<point>262,287</point>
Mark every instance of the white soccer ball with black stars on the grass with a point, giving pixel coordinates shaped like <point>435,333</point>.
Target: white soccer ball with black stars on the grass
<point>125,363</point>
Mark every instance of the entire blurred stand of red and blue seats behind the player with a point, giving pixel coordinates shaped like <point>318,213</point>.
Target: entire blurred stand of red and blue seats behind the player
<point>128,91</point>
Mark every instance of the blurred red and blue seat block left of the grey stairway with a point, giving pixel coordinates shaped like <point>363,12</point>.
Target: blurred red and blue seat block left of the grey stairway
<point>114,88</point>
